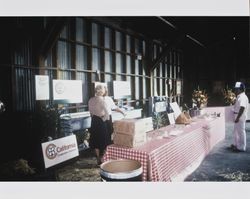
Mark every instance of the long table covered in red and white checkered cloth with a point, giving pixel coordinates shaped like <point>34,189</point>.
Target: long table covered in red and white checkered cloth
<point>174,151</point>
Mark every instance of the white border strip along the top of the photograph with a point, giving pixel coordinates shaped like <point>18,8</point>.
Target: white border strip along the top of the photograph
<point>124,8</point>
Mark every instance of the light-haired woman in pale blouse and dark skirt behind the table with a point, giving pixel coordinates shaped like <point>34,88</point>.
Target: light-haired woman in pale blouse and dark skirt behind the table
<point>99,135</point>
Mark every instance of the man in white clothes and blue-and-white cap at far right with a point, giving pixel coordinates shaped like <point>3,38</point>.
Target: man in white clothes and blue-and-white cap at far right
<point>240,112</point>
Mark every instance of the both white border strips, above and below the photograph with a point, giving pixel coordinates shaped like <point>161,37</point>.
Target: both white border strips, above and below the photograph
<point>63,190</point>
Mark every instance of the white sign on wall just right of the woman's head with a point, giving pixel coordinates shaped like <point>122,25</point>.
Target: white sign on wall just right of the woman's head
<point>121,89</point>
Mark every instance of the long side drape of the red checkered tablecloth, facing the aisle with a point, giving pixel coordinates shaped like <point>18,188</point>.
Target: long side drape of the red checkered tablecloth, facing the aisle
<point>176,155</point>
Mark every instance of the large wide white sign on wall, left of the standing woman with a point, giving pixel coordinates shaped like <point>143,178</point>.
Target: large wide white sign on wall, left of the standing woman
<point>69,91</point>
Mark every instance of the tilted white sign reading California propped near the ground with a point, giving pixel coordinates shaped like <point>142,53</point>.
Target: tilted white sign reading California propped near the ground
<point>59,150</point>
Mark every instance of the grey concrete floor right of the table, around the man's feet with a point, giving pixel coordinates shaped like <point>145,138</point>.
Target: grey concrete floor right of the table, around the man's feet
<point>222,164</point>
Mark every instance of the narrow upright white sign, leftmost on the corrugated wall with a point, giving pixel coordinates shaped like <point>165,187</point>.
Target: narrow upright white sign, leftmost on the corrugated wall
<point>42,87</point>
